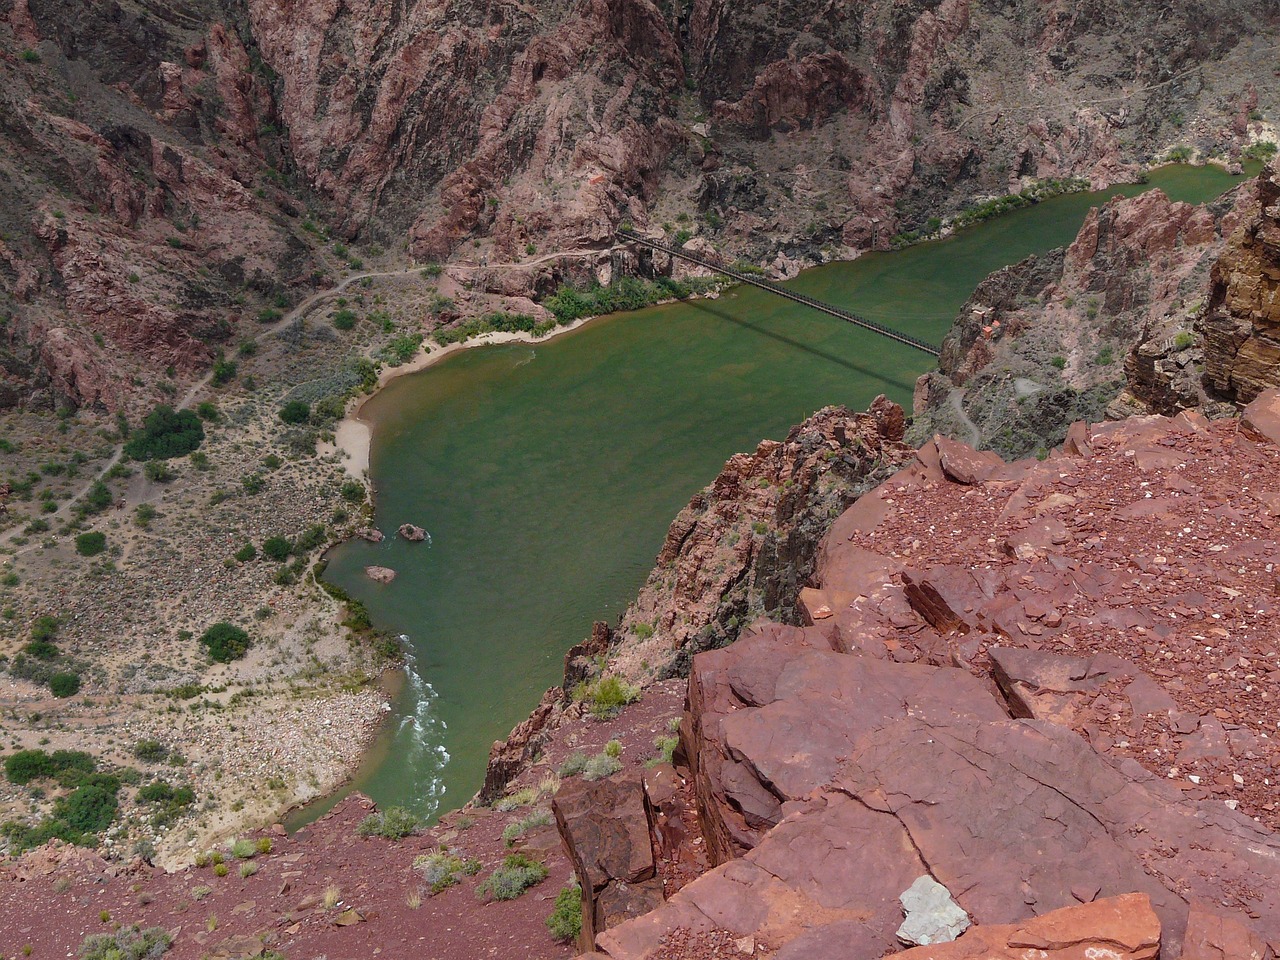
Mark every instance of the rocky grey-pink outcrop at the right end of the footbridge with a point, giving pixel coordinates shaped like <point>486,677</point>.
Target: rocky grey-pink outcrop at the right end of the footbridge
<point>1107,327</point>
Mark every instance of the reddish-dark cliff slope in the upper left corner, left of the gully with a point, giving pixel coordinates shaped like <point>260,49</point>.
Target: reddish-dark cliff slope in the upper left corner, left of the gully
<point>141,225</point>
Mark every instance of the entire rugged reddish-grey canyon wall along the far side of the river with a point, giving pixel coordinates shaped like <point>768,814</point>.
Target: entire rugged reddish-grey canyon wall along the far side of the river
<point>182,145</point>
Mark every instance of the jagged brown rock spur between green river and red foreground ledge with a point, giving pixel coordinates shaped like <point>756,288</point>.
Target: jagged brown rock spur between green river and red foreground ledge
<point>746,546</point>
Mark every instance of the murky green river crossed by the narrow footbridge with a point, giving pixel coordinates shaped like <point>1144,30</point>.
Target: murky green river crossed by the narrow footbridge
<point>547,474</point>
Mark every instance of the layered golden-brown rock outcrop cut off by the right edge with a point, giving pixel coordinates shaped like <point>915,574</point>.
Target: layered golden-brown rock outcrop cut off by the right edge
<point>1242,322</point>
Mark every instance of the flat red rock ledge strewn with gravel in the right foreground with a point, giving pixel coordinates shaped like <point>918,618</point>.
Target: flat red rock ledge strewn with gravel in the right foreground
<point>1013,696</point>
